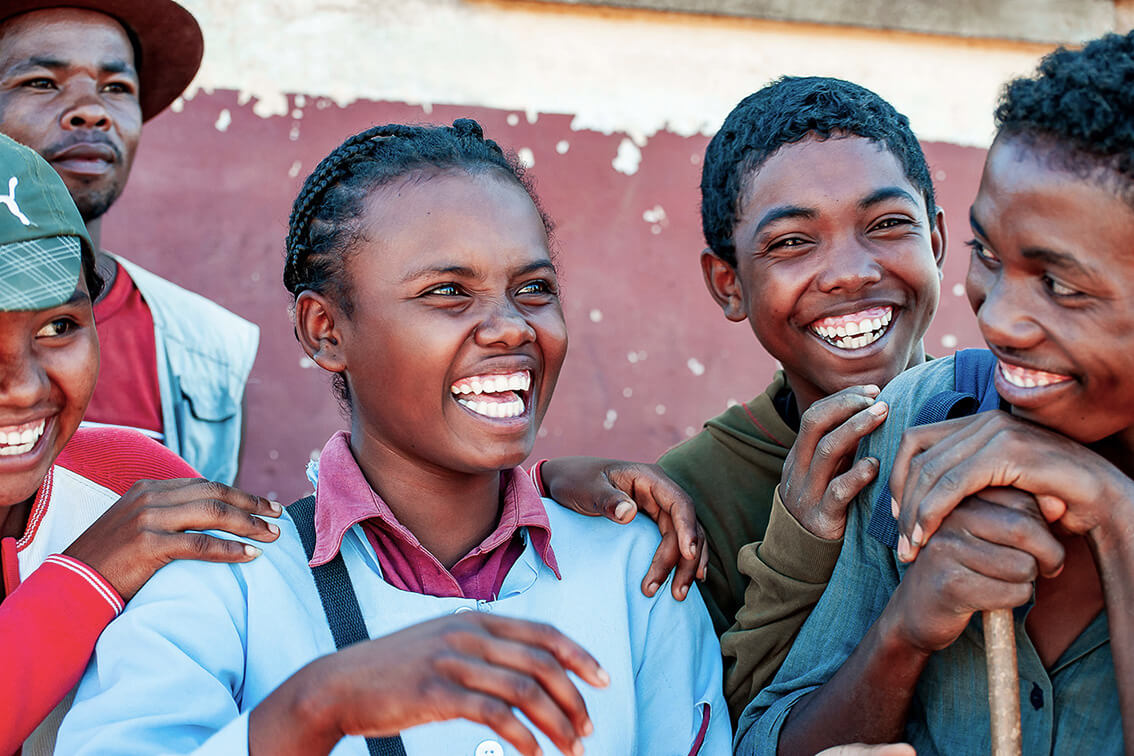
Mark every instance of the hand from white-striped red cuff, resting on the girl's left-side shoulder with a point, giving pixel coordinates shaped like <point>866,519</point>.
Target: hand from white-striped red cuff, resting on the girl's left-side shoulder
<point>150,525</point>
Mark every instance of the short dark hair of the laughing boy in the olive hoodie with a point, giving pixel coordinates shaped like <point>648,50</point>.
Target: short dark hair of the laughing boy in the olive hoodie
<point>786,112</point>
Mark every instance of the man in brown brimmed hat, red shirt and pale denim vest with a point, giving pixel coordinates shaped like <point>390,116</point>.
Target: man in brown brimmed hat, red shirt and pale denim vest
<point>78,81</point>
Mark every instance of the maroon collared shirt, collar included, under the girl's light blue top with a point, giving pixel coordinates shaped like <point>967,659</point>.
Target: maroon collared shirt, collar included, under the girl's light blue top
<point>344,499</point>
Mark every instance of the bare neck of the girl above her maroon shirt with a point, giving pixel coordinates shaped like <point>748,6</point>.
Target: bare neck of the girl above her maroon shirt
<point>450,513</point>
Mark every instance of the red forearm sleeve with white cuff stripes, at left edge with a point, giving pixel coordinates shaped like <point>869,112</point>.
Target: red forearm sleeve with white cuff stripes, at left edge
<point>48,628</point>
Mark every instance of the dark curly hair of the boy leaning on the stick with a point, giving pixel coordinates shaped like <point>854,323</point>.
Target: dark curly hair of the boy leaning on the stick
<point>1080,105</point>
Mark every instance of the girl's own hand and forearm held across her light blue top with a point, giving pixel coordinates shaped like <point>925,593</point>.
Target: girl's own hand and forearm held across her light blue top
<point>470,666</point>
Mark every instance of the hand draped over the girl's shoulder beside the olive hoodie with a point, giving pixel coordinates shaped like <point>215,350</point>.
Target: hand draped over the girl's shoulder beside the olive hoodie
<point>619,490</point>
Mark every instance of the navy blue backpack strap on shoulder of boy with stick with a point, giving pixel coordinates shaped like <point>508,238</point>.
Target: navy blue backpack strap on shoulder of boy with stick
<point>972,393</point>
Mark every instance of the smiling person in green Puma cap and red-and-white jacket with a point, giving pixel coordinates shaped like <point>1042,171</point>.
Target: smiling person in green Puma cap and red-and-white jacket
<point>80,529</point>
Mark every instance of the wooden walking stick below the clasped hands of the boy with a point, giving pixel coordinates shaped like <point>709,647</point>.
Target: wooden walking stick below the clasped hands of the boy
<point>1004,682</point>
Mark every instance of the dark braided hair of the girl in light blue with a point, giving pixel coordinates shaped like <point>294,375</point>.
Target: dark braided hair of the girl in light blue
<point>327,218</point>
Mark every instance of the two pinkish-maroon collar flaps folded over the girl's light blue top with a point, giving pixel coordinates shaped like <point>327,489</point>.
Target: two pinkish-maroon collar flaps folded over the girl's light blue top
<point>344,499</point>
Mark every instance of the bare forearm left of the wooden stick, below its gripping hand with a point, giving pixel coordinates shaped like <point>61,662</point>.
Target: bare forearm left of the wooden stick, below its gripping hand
<point>867,701</point>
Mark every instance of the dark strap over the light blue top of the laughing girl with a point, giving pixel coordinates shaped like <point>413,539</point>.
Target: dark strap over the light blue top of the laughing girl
<point>341,605</point>
